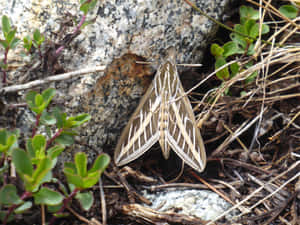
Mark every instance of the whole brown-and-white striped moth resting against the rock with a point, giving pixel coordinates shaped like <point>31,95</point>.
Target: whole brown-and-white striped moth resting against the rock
<point>164,114</point>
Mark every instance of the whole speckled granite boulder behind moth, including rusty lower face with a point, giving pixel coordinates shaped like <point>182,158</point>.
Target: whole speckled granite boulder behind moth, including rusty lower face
<point>139,27</point>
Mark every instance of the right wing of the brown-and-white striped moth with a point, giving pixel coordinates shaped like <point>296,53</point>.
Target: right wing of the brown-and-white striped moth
<point>183,134</point>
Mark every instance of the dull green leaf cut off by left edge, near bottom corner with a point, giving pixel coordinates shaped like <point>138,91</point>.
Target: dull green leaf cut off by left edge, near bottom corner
<point>9,195</point>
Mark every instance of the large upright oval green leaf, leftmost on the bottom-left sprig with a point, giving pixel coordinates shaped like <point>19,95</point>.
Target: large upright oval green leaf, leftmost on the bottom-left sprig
<point>22,162</point>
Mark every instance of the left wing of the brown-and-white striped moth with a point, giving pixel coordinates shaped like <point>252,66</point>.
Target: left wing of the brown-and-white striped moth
<point>141,131</point>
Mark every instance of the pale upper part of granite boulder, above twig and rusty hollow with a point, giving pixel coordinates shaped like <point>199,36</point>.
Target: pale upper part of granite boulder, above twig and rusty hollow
<point>142,27</point>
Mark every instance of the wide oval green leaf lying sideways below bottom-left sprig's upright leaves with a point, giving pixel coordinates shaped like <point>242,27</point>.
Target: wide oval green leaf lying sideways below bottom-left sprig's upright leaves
<point>47,196</point>
